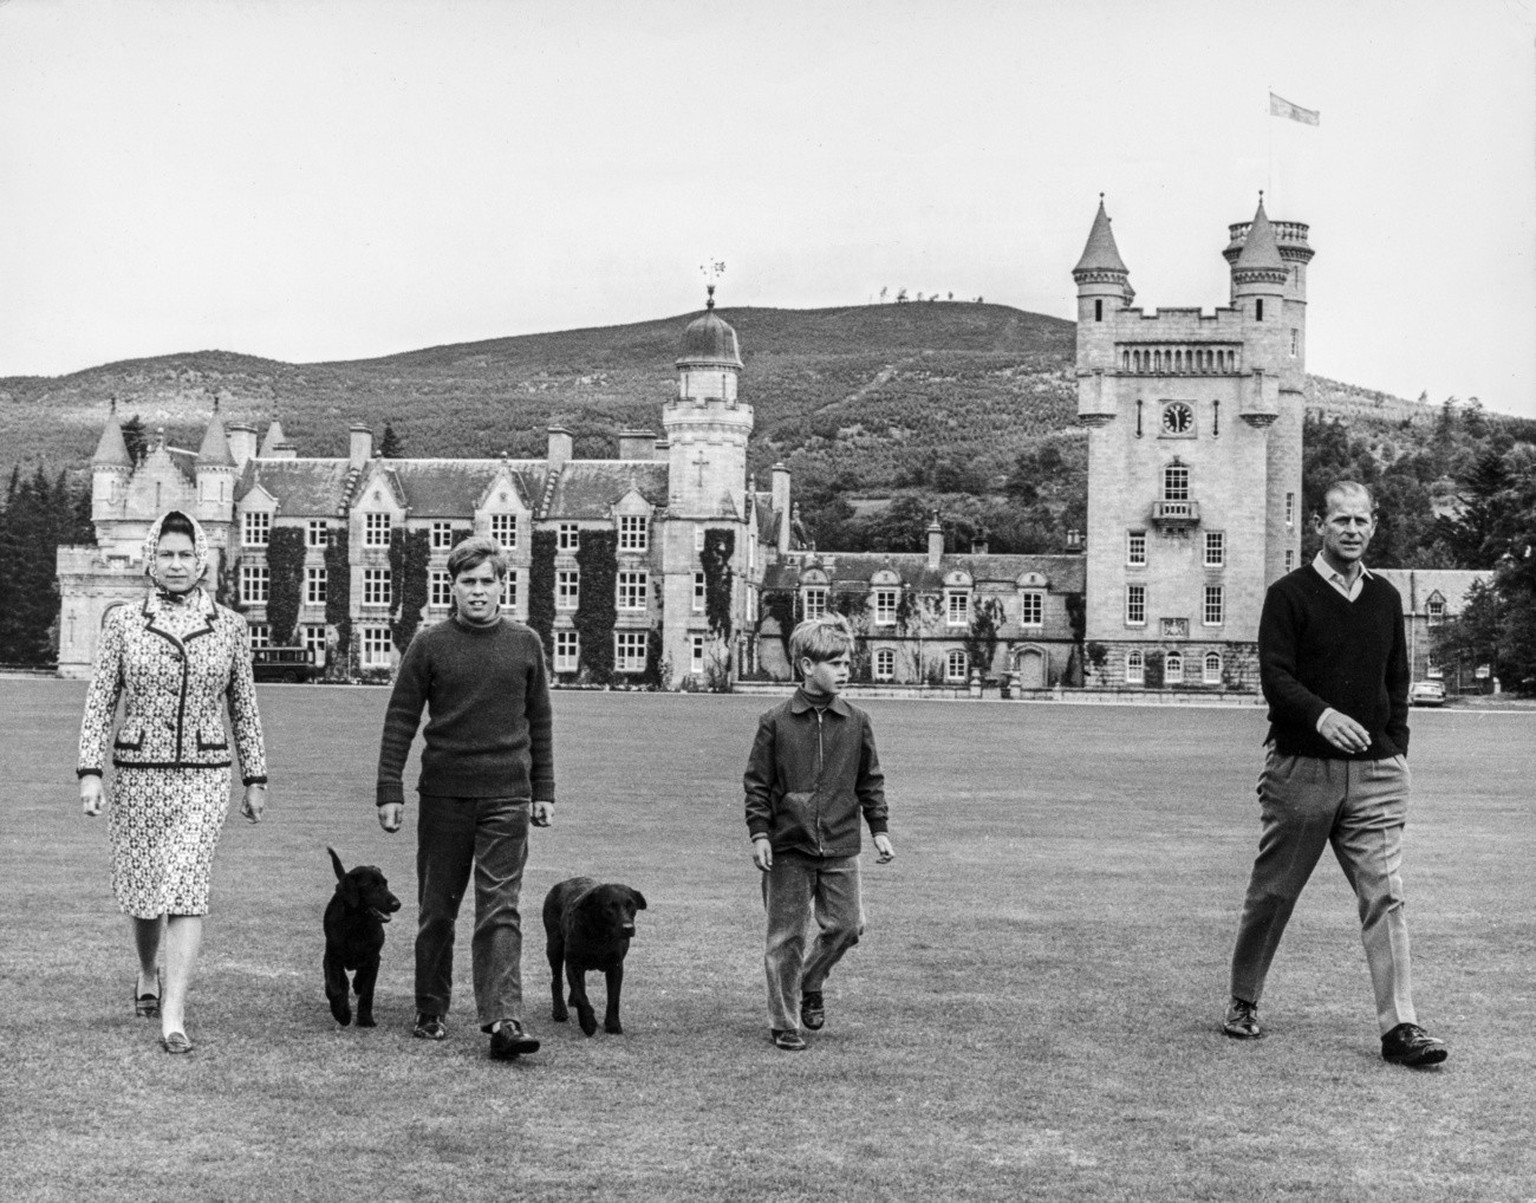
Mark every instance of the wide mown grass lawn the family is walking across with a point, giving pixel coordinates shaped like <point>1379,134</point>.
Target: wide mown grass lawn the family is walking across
<point>1033,1013</point>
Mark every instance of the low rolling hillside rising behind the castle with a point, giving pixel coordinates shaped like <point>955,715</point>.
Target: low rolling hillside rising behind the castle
<point>866,399</point>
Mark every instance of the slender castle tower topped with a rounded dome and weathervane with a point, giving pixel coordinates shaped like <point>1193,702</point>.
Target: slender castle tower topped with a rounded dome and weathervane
<point>706,429</point>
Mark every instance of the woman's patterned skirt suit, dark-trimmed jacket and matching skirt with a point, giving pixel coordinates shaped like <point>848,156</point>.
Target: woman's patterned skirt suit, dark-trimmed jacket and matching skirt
<point>174,661</point>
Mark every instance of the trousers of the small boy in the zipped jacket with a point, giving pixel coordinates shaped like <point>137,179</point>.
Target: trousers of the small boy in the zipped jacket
<point>795,889</point>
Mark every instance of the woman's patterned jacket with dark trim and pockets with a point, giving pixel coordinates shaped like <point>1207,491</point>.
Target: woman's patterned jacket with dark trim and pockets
<point>176,689</point>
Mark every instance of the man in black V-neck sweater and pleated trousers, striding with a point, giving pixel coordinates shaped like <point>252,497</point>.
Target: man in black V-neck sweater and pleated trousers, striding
<point>1336,674</point>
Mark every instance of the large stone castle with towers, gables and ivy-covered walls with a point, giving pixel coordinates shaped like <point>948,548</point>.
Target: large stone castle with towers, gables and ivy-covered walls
<point>667,565</point>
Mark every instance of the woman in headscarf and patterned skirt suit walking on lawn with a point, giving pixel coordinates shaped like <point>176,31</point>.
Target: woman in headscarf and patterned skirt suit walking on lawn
<point>176,658</point>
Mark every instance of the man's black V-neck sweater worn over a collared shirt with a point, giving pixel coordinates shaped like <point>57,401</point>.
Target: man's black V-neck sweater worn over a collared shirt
<point>1317,649</point>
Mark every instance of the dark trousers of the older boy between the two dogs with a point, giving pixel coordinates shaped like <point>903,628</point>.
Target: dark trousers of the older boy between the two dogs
<point>492,833</point>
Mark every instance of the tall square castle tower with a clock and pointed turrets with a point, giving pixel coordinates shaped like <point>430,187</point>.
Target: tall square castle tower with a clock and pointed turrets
<point>1194,460</point>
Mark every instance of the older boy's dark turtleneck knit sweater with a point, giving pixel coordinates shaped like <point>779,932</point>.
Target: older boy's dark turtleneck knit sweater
<point>489,720</point>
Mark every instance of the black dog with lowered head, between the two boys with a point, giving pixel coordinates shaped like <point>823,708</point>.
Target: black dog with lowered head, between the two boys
<point>589,927</point>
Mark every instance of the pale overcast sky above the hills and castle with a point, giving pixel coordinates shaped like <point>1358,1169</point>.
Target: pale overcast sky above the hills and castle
<point>339,181</point>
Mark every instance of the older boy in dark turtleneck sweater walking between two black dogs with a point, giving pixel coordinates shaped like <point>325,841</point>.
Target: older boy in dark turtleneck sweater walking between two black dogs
<point>488,772</point>
